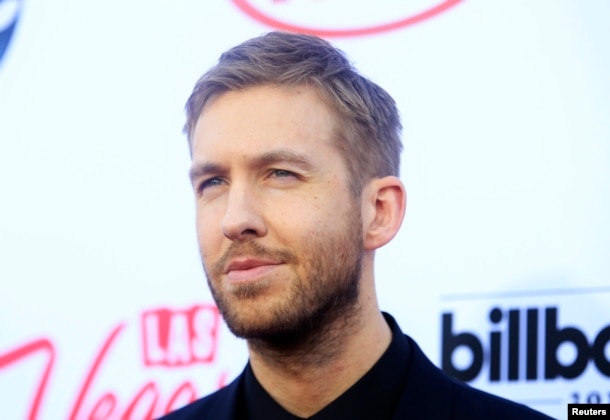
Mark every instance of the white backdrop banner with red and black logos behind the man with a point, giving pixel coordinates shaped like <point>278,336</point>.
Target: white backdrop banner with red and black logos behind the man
<point>501,270</point>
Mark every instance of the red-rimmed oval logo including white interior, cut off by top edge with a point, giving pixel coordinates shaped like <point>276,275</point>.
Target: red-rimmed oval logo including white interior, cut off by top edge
<point>336,18</point>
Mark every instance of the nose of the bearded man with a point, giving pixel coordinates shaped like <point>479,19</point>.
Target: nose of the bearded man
<point>243,218</point>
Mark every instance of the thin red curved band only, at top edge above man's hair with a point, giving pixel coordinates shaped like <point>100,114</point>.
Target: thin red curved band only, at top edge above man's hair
<point>256,14</point>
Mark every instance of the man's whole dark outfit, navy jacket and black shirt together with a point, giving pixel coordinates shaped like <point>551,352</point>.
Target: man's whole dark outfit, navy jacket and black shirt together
<point>403,384</point>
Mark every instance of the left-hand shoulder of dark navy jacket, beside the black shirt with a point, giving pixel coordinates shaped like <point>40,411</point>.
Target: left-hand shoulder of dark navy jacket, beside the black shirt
<point>221,404</point>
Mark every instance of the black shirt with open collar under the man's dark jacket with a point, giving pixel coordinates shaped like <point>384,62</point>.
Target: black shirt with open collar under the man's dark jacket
<point>375,395</point>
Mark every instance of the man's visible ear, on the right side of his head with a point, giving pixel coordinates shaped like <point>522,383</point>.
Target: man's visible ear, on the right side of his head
<point>384,202</point>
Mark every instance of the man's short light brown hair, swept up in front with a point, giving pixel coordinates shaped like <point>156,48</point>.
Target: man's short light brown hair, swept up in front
<point>368,122</point>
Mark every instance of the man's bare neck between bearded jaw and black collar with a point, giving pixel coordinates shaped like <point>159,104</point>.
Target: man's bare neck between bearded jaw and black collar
<point>304,380</point>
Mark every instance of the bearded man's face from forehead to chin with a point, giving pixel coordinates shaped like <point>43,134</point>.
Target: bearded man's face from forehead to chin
<point>279,232</point>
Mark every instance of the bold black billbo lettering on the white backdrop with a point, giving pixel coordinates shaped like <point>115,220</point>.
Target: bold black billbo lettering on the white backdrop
<point>513,349</point>
